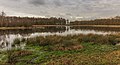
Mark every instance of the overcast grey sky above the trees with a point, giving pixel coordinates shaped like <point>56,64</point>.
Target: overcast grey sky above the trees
<point>71,9</point>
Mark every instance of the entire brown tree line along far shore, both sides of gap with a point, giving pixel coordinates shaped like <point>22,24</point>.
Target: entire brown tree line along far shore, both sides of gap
<point>12,21</point>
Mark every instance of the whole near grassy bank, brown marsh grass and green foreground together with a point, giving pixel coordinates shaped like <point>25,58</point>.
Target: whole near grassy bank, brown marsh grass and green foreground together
<point>66,50</point>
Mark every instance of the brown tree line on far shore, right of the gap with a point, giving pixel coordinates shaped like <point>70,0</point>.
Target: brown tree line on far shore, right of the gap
<point>109,21</point>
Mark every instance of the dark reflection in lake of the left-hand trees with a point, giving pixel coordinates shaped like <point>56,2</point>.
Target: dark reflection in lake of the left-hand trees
<point>29,31</point>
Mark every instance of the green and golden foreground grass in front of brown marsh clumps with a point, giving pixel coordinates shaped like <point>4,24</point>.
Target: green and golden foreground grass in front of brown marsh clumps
<point>91,54</point>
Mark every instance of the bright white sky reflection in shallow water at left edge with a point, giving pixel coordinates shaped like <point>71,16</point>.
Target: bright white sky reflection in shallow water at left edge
<point>6,41</point>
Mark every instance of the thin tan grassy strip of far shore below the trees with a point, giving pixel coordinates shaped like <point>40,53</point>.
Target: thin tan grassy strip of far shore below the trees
<point>42,26</point>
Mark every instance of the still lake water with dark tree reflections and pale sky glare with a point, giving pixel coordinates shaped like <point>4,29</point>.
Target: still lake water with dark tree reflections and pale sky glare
<point>7,37</point>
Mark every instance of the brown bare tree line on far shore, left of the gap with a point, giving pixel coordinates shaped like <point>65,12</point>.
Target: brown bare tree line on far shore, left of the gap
<point>10,21</point>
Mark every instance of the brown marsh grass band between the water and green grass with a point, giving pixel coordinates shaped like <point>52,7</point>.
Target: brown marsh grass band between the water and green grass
<point>74,39</point>
